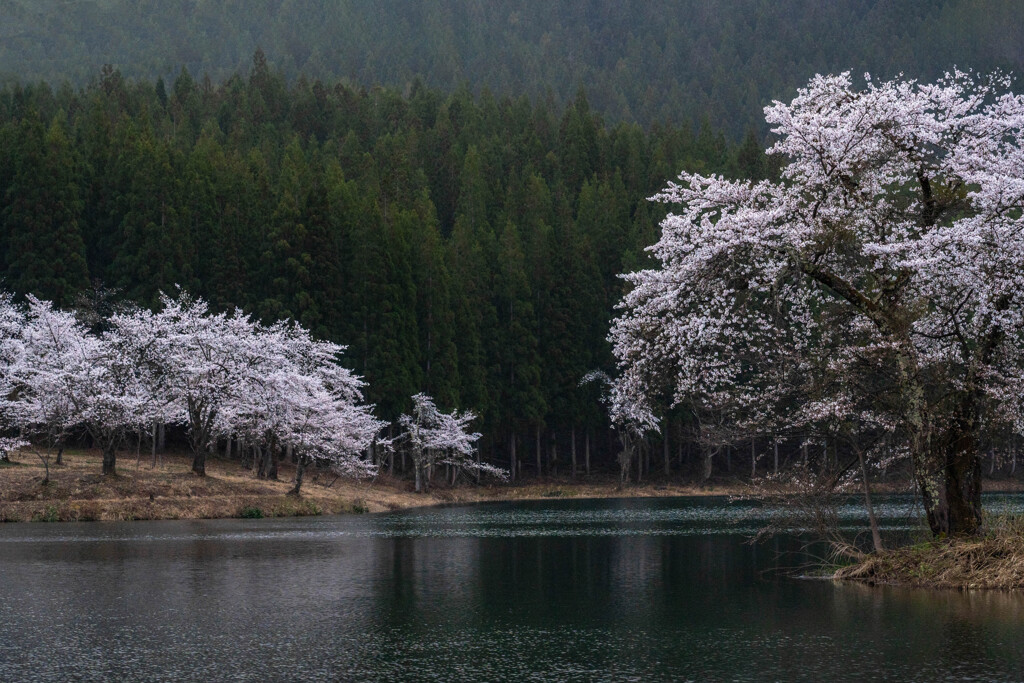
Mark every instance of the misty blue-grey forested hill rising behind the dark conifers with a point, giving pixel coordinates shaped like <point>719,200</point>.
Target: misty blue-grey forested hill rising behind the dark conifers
<point>641,61</point>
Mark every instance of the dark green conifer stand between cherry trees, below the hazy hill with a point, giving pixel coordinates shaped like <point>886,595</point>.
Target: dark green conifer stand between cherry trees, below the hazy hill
<point>465,247</point>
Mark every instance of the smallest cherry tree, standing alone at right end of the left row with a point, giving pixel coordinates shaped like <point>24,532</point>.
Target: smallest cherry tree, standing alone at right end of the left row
<point>435,438</point>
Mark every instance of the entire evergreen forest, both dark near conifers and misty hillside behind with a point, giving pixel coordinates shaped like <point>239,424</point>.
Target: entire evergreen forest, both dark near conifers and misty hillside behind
<point>451,189</point>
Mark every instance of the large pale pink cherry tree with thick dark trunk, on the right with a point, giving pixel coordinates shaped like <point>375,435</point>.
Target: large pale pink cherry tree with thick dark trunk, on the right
<point>879,280</point>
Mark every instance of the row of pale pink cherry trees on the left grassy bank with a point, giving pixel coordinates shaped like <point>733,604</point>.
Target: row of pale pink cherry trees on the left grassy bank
<point>221,375</point>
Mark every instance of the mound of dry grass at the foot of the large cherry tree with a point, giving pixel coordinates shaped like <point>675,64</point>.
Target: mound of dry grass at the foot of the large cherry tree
<point>993,561</point>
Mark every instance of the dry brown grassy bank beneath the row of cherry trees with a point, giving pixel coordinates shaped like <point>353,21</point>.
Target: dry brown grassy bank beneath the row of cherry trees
<point>78,493</point>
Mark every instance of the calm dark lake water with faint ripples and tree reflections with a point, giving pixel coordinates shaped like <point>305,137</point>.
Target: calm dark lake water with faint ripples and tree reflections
<point>630,590</point>
